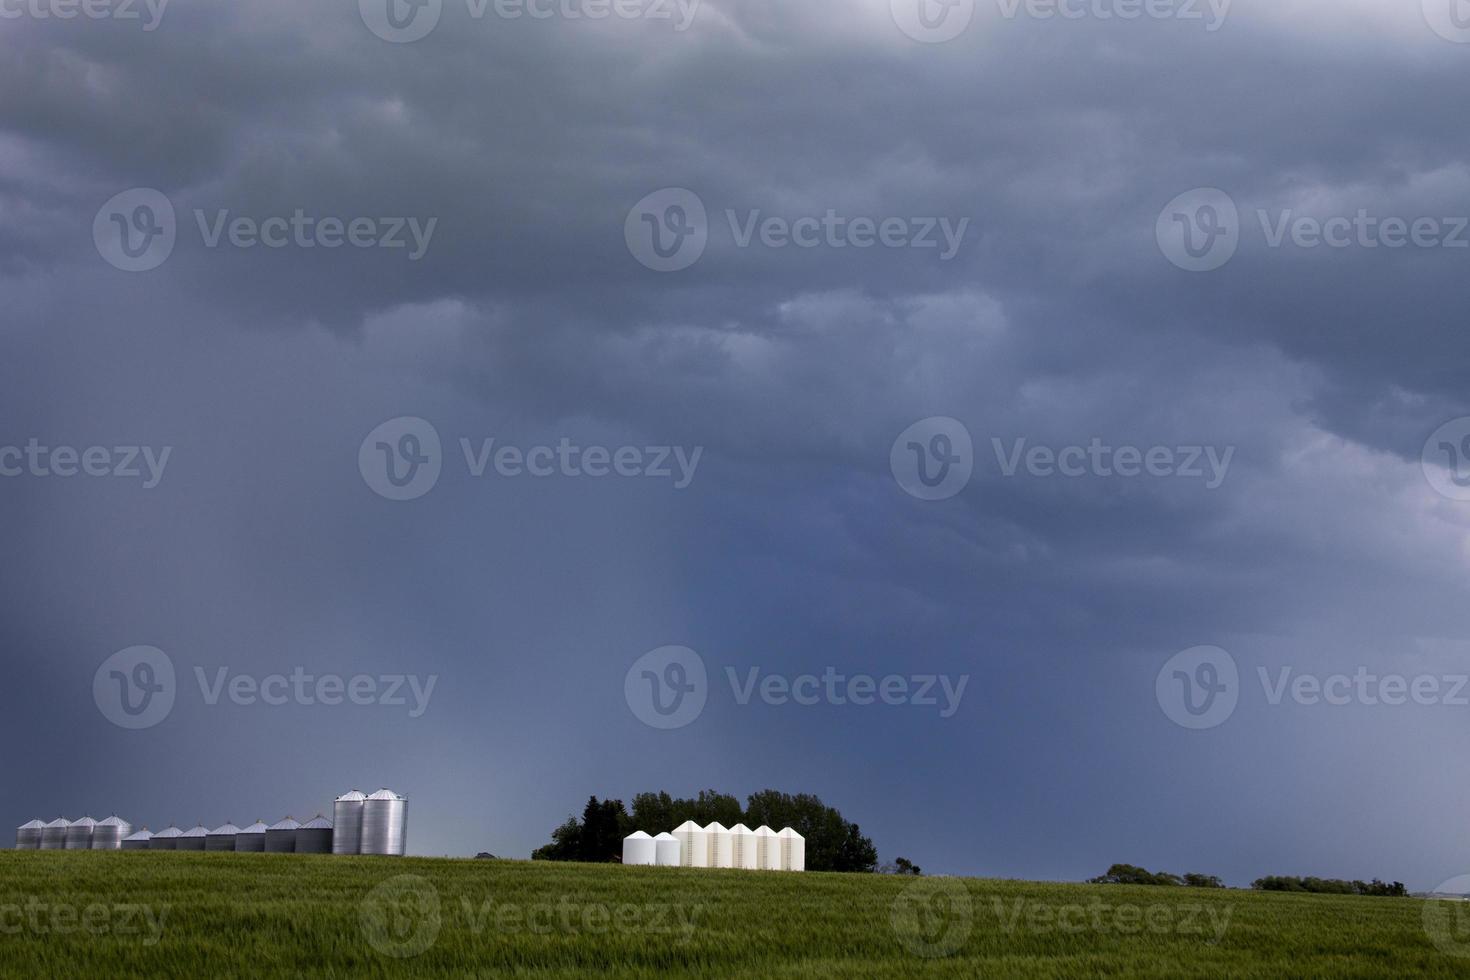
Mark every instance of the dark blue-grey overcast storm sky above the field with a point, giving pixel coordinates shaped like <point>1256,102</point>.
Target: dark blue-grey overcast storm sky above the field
<point>1043,231</point>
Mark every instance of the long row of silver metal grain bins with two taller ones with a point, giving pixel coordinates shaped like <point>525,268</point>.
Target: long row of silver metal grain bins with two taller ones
<point>376,825</point>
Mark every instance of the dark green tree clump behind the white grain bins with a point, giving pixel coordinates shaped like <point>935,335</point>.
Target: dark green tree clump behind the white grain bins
<point>834,844</point>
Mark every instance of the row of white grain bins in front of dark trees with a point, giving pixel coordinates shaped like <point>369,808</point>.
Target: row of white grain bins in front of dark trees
<point>715,847</point>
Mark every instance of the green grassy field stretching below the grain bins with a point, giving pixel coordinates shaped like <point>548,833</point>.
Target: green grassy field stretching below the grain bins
<point>151,915</point>
